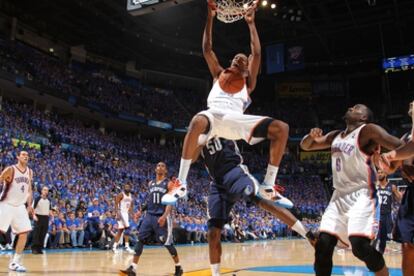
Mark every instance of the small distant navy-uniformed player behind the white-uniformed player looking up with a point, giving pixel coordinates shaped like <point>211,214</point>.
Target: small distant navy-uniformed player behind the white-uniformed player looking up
<point>386,193</point>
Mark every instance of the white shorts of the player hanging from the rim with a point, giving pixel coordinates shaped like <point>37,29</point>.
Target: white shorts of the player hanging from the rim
<point>232,126</point>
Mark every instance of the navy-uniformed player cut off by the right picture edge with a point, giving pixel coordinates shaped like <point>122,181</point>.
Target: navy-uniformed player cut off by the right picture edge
<point>404,231</point>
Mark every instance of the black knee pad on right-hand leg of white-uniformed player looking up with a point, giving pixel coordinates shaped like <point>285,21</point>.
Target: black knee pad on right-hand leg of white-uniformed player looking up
<point>363,250</point>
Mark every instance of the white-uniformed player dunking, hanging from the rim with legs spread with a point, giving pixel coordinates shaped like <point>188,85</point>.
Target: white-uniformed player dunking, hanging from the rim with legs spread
<point>224,117</point>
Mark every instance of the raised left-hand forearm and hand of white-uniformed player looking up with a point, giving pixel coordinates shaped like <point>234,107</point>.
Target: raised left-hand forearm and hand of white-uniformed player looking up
<point>315,140</point>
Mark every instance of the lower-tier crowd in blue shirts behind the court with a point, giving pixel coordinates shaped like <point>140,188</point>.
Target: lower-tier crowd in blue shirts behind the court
<point>84,170</point>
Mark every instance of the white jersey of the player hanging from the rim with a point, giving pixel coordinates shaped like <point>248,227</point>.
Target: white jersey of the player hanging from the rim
<point>224,102</point>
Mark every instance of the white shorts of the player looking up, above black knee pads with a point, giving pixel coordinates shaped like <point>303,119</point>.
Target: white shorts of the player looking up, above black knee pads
<point>351,214</point>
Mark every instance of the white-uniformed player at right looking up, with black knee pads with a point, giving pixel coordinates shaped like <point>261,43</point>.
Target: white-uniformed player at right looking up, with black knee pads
<point>351,214</point>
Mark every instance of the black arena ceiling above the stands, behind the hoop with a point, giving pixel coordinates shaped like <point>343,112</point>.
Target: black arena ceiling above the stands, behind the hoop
<point>330,30</point>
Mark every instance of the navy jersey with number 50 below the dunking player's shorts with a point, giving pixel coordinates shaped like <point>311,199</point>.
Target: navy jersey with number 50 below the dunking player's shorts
<point>221,156</point>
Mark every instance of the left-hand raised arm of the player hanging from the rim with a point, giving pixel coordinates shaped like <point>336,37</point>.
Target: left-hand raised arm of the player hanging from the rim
<point>208,53</point>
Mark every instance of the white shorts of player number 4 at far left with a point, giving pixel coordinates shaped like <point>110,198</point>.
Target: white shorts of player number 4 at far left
<point>14,216</point>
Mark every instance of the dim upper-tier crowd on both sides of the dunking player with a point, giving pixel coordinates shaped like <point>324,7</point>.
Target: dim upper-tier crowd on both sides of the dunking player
<point>119,94</point>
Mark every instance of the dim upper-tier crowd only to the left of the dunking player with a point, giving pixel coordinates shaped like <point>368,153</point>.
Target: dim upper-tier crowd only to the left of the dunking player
<point>100,87</point>
